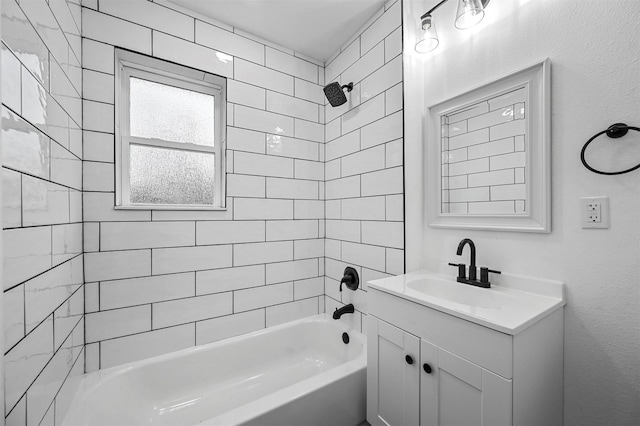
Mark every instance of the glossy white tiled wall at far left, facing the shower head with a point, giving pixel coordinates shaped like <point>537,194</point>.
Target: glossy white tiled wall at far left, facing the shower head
<point>42,208</point>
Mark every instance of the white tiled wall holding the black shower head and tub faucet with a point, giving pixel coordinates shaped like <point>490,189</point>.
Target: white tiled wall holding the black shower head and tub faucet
<point>364,162</point>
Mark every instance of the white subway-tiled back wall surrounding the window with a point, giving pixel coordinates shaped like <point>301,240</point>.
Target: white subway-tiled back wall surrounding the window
<point>159,281</point>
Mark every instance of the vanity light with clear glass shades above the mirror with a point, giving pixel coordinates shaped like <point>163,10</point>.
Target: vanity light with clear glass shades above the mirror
<point>470,13</point>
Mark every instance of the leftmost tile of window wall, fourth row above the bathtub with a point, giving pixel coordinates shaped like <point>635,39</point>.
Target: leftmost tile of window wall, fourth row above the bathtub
<point>117,264</point>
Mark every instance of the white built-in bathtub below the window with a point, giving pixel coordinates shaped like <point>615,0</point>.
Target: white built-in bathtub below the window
<point>299,373</point>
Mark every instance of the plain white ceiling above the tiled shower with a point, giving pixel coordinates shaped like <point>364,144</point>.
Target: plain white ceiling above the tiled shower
<point>316,28</point>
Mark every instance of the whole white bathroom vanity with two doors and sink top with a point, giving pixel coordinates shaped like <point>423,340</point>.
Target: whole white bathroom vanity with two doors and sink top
<point>446,353</point>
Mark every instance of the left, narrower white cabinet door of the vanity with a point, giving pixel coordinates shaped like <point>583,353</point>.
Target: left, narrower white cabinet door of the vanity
<point>393,389</point>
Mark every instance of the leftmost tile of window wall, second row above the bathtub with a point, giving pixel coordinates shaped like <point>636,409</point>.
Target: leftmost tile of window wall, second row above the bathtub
<point>117,322</point>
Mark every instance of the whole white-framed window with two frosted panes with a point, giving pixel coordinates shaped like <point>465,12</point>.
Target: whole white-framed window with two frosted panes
<point>170,135</point>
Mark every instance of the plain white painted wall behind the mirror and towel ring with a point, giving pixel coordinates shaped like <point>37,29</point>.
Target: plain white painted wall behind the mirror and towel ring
<point>595,83</point>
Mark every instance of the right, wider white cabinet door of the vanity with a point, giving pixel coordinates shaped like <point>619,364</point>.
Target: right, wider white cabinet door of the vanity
<point>459,393</point>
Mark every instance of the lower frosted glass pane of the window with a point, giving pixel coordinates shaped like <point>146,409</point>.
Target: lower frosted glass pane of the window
<point>168,176</point>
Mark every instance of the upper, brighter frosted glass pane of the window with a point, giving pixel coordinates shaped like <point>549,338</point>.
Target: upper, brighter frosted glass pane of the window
<point>170,113</point>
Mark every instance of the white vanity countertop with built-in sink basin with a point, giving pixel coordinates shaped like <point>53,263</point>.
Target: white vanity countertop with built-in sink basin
<point>510,306</point>
